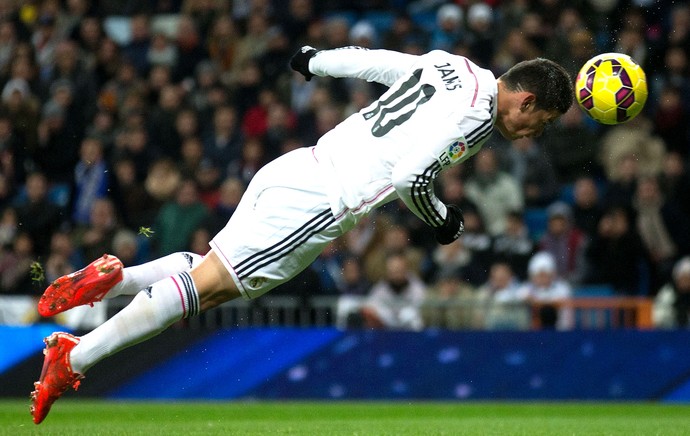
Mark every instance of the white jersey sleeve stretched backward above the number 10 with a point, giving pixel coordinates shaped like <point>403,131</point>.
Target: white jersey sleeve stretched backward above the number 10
<point>382,66</point>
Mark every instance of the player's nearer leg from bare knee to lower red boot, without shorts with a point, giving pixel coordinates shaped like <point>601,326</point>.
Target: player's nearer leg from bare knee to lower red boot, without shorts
<point>152,310</point>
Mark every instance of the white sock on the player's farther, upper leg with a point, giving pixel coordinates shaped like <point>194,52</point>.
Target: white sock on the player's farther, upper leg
<point>136,278</point>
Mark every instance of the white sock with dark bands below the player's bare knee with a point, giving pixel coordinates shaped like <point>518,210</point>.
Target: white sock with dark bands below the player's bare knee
<point>149,313</point>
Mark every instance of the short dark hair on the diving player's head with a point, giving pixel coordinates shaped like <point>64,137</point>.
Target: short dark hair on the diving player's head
<point>548,81</point>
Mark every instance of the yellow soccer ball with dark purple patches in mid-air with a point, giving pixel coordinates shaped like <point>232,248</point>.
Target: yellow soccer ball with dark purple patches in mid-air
<point>611,88</point>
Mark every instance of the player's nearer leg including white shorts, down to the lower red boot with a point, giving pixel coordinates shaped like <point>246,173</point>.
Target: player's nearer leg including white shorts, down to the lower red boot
<point>279,228</point>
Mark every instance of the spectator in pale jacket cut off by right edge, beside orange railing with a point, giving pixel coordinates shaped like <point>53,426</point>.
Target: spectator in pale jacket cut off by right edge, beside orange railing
<point>672,301</point>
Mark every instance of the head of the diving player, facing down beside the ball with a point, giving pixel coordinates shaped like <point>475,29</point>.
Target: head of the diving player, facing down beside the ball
<point>531,95</point>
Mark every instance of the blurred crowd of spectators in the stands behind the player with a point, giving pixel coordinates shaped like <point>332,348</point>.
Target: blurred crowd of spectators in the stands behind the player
<point>133,128</point>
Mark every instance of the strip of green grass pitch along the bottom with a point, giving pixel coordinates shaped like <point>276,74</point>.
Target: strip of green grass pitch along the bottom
<point>82,418</point>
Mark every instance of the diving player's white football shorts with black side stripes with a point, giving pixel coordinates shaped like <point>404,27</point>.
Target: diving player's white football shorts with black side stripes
<point>281,225</point>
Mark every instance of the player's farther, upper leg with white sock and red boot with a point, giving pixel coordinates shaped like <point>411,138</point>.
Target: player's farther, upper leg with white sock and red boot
<point>106,277</point>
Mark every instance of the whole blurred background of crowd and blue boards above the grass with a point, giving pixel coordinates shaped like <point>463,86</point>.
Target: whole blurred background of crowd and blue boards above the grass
<point>133,128</point>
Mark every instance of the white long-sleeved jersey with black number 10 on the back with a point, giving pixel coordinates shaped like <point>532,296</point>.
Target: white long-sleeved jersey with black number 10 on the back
<point>439,110</point>
